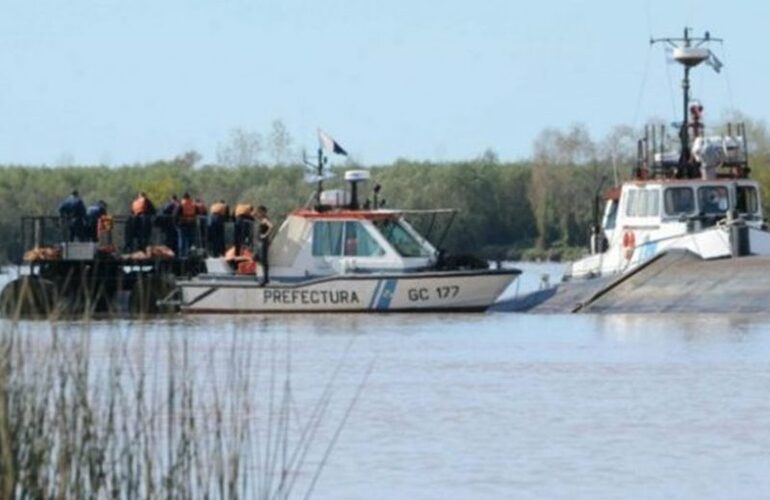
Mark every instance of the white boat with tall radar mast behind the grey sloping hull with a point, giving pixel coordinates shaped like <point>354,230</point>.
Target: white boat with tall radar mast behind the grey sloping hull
<point>698,199</point>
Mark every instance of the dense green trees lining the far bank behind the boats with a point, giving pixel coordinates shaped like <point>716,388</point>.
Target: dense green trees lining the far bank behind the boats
<point>541,207</point>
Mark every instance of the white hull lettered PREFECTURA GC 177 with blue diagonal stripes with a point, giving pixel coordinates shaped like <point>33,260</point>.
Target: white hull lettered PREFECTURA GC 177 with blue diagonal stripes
<point>437,291</point>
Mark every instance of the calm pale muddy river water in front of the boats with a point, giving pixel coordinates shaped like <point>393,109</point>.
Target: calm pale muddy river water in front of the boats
<point>510,405</point>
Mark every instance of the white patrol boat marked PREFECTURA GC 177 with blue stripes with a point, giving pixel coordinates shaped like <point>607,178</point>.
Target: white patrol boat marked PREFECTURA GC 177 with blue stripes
<point>339,255</point>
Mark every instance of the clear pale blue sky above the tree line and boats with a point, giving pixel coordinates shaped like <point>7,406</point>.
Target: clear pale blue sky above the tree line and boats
<point>124,81</point>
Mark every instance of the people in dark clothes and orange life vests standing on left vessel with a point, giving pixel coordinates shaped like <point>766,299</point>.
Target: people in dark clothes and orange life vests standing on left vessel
<point>184,222</point>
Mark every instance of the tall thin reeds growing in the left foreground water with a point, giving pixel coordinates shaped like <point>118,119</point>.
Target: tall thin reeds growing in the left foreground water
<point>83,416</point>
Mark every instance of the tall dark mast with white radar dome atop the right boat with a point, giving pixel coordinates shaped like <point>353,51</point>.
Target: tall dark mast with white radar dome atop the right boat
<point>689,52</point>
